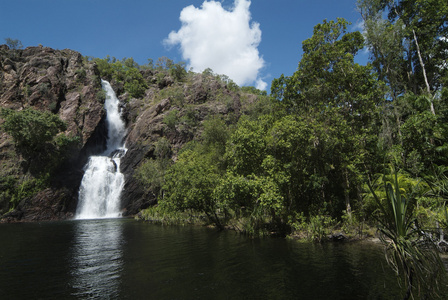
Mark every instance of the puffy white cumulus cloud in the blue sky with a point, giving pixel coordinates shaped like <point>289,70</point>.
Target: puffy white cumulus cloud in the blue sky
<point>224,40</point>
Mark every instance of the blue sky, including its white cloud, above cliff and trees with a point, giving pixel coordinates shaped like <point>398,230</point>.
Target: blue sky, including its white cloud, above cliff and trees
<point>269,32</point>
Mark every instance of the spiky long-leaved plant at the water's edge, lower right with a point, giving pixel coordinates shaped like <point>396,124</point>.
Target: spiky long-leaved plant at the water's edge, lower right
<point>410,251</point>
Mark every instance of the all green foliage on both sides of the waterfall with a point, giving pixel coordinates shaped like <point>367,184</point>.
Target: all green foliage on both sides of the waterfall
<point>314,155</point>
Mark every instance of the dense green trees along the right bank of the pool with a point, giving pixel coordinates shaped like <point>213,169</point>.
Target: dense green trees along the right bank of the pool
<point>303,156</point>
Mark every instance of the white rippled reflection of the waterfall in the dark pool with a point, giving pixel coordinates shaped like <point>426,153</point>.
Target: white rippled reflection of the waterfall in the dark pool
<point>97,259</point>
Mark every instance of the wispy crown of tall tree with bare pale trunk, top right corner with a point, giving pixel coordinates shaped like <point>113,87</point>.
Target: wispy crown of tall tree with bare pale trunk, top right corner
<point>409,48</point>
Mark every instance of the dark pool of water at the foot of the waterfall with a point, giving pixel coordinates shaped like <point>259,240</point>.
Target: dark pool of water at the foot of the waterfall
<point>126,259</point>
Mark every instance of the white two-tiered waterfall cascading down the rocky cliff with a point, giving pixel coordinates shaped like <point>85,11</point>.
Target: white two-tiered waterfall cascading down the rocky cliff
<point>101,186</point>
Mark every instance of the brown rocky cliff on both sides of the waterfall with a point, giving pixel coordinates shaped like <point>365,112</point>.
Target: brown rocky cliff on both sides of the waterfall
<point>65,83</point>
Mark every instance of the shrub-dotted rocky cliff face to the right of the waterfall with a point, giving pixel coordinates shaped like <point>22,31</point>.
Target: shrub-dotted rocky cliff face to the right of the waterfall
<point>191,102</point>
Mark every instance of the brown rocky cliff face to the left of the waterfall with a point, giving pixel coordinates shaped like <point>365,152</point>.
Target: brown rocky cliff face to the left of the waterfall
<point>62,82</point>
